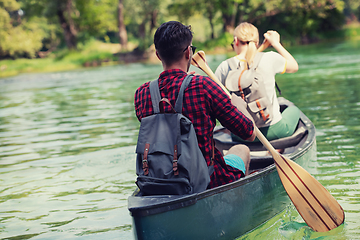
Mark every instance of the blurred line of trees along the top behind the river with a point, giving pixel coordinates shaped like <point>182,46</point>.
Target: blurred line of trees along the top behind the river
<point>33,28</point>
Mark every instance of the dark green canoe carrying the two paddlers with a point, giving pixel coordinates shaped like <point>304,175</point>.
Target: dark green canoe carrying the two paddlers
<point>231,210</point>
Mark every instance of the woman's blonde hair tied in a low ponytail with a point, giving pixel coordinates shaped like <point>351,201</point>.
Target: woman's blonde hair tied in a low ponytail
<point>248,33</point>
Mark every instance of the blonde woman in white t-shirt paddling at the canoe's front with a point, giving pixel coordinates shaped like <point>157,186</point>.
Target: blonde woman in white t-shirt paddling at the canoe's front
<point>245,43</point>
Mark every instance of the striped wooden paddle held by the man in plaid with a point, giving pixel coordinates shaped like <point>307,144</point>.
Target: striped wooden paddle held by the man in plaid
<point>316,205</point>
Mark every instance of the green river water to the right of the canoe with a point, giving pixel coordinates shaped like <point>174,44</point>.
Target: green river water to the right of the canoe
<point>327,90</point>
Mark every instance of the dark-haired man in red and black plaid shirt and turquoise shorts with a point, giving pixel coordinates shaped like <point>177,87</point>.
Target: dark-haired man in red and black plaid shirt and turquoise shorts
<point>204,102</point>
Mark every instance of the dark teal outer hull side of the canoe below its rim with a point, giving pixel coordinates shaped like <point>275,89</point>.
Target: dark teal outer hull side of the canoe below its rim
<point>223,216</point>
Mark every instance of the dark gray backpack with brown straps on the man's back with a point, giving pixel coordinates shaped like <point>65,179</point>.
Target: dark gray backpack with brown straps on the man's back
<point>169,160</point>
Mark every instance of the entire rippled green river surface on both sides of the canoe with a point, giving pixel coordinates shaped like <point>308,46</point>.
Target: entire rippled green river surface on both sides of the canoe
<point>67,142</point>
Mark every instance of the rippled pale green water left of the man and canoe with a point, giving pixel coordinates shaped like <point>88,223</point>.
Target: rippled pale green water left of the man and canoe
<point>67,153</point>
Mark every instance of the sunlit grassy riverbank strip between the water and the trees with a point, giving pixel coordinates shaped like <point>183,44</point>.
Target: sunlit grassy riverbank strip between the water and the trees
<point>96,53</point>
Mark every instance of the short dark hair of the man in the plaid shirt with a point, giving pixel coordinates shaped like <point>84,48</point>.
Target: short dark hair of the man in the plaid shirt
<point>170,39</point>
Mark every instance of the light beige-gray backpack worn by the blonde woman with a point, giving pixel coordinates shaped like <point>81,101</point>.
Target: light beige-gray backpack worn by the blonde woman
<point>250,86</point>
